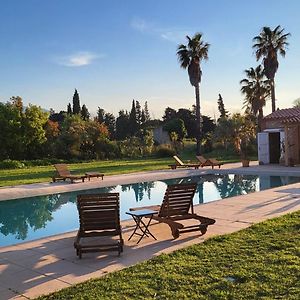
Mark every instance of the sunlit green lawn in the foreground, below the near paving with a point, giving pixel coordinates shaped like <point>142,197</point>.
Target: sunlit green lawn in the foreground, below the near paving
<point>261,262</point>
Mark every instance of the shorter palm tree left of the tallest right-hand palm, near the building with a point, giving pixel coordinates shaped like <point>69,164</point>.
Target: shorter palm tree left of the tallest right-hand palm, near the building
<point>256,89</point>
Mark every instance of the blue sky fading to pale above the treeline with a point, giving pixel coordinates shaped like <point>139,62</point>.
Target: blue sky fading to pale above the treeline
<point>115,51</point>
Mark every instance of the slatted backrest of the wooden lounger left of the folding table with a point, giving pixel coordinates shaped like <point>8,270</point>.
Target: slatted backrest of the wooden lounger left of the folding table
<point>99,212</point>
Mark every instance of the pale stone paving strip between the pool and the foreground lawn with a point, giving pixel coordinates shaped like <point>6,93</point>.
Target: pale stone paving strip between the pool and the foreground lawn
<point>30,269</point>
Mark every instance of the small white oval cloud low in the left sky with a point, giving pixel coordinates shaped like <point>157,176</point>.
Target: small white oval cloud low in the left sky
<point>78,59</point>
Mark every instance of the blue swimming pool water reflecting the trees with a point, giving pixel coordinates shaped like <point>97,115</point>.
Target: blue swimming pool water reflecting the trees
<point>32,218</point>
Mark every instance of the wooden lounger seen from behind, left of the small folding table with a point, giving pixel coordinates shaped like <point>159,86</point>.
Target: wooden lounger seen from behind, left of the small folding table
<point>99,217</point>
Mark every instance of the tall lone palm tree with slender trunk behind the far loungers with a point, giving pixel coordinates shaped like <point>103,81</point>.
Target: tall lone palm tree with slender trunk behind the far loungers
<point>190,57</point>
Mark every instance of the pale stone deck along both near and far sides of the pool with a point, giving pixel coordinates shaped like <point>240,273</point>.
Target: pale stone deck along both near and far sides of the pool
<point>30,269</point>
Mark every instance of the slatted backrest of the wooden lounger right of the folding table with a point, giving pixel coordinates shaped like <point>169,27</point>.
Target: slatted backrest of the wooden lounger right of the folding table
<point>178,200</point>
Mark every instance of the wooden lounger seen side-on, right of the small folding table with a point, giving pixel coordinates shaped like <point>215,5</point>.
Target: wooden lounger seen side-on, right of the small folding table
<point>178,206</point>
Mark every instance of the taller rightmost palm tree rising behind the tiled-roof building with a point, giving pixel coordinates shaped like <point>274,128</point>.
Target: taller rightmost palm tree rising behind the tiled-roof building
<point>267,44</point>
